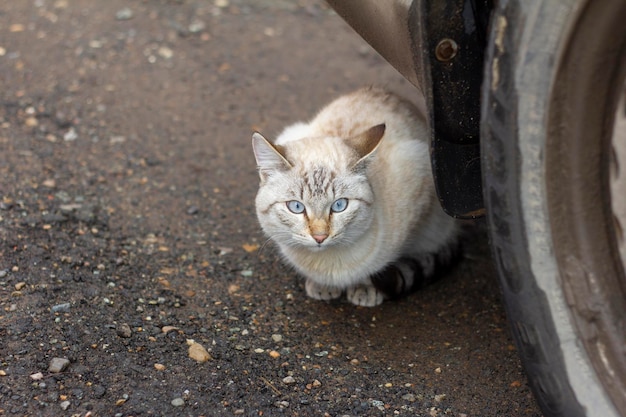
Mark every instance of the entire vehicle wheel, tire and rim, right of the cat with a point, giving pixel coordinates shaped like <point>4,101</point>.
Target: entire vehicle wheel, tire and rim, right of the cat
<point>553,144</point>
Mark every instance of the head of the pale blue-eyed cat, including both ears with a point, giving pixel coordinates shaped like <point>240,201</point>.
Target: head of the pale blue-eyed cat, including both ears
<point>314,192</point>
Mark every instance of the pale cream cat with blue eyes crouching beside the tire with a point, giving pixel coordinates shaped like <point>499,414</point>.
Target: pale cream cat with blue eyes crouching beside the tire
<point>350,201</point>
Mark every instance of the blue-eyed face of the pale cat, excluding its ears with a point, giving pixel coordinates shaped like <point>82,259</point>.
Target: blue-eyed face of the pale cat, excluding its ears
<point>316,207</point>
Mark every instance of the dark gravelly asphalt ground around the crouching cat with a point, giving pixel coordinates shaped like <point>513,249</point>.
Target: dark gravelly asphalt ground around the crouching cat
<point>128,234</point>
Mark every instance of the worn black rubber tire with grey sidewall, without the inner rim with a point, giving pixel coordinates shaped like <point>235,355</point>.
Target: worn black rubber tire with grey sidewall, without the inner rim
<point>526,41</point>
